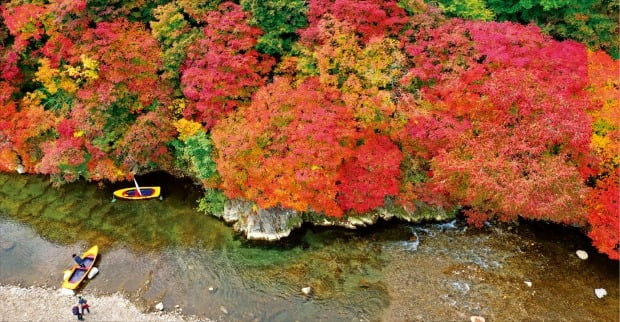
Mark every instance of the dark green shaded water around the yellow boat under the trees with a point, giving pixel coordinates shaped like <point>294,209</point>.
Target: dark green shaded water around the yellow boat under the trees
<point>79,212</point>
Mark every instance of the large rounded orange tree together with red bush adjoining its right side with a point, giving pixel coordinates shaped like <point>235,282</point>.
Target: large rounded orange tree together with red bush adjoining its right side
<point>299,147</point>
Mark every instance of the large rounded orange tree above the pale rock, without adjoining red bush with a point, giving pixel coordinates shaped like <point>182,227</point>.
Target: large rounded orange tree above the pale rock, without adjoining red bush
<point>286,147</point>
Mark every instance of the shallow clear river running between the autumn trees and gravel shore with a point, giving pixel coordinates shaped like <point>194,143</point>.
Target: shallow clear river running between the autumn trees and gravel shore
<point>164,251</point>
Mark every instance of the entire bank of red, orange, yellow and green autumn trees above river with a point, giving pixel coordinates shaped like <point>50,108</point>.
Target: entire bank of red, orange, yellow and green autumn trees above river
<point>324,106</point>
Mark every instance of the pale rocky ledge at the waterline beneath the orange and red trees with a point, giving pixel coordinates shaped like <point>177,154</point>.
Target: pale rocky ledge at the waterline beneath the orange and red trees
<point>276,223</point>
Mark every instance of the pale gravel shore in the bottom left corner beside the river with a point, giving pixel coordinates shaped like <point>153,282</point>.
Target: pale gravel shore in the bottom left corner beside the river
<point>39,304</point>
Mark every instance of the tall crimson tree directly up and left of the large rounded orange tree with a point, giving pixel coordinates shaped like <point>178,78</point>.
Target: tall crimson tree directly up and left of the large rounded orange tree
<point>222,70</point>
